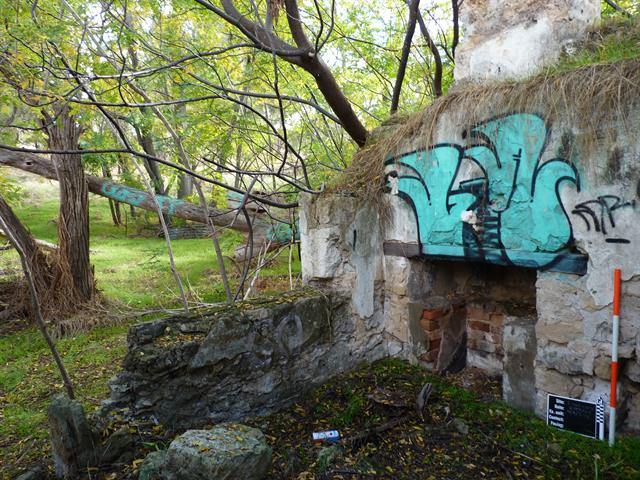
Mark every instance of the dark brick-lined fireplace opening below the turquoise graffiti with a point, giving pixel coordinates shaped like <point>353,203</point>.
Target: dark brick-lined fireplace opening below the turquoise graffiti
<point>483,315</point>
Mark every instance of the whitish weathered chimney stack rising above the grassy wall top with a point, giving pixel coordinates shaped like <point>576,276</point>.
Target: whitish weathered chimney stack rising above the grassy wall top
<point>514,38</point>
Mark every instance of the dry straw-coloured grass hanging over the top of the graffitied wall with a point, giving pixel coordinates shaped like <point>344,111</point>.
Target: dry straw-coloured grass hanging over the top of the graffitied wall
<point>589,97</point>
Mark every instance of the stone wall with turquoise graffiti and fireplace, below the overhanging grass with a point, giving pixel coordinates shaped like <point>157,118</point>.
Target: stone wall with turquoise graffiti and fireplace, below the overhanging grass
<point>545,331</point>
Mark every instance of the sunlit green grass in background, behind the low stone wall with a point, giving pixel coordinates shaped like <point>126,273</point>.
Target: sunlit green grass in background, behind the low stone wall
<point>132,265</point>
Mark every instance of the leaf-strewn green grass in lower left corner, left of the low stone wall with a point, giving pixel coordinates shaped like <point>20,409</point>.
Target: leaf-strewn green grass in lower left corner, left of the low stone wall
<point>28,379</point>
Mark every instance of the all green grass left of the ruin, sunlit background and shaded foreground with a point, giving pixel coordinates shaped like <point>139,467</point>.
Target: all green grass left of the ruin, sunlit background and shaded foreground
<point>132,272</point>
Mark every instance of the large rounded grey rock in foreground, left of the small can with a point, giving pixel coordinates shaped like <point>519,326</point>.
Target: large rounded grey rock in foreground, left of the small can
<point>227,451</point>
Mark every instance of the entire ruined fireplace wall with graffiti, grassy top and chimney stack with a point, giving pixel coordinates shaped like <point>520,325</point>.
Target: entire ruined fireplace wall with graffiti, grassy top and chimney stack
<point>498,223</point>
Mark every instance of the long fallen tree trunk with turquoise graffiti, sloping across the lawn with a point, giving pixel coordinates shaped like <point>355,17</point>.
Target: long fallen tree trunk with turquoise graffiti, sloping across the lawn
<point>132,196</point>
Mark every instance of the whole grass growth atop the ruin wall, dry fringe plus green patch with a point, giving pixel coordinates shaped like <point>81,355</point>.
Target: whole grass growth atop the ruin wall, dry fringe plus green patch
<point>592,89</point>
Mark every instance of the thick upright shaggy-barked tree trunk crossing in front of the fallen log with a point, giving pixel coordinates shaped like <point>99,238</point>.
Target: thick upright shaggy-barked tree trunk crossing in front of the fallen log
<point>73,221</point>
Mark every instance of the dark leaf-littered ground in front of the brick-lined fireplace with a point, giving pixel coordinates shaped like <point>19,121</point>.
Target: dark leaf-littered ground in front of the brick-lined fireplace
<point>383,437</point>
